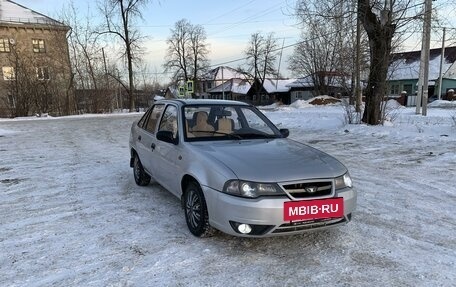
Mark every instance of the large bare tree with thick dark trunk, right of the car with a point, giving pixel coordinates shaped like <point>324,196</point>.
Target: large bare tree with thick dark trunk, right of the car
<point>384,22</point>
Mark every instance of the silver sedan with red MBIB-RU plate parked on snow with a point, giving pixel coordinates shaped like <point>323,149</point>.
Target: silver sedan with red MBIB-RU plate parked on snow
<point>235,171</point>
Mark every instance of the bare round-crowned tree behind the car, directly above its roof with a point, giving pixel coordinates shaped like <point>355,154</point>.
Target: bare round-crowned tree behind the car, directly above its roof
<point>187,51</point>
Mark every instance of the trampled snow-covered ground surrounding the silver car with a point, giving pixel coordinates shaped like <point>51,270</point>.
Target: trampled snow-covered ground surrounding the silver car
<point>71,214</point>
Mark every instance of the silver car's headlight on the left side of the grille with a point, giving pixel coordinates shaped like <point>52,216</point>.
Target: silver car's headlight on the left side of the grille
<point>251,189</point>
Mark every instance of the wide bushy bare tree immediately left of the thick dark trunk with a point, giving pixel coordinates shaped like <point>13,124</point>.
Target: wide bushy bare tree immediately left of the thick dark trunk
<point>326,51</point>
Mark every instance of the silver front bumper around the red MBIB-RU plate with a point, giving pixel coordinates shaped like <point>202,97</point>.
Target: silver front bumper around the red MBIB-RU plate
<point>265,214</point>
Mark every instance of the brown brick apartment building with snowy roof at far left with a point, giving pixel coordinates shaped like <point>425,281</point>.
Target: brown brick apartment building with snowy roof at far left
<point>34,61</point>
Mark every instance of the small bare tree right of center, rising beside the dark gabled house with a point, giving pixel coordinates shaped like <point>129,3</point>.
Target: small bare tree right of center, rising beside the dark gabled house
<point>261,56</point>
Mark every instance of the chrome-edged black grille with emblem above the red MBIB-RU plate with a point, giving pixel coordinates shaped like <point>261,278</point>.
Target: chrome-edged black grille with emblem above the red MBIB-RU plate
<point>309,189</point>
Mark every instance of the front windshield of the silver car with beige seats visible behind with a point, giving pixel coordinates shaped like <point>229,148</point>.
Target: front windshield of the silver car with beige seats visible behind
<point>222,122</point>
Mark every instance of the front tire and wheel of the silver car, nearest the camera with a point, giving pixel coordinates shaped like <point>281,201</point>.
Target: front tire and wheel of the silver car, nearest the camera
<point>196,214</point>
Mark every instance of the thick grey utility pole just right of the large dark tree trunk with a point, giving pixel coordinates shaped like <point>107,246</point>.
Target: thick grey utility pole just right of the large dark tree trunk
<point>423,81</point>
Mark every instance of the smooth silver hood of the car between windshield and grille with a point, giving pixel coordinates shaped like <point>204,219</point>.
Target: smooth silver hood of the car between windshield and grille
<point>277,160</point>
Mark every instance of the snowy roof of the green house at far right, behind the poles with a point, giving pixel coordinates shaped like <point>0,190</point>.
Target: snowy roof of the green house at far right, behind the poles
<point>406,65</point>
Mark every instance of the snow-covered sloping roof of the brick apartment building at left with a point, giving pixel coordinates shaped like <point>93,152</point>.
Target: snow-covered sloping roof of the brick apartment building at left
<point>13,13</point>
